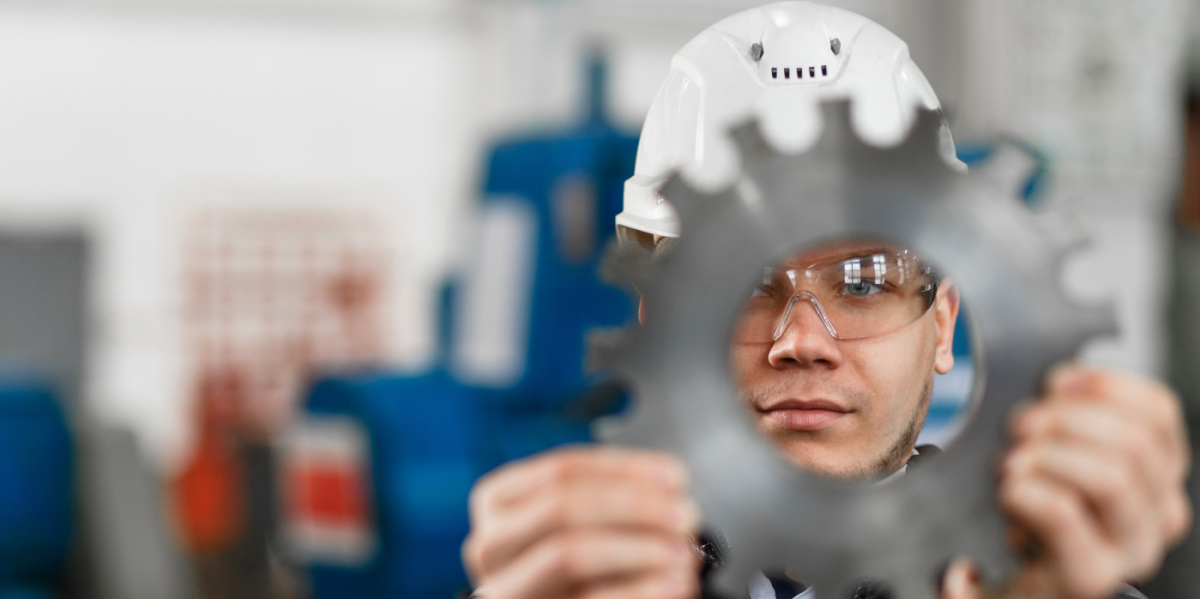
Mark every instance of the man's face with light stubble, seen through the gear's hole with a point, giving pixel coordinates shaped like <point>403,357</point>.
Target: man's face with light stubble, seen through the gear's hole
<point>844,408</point>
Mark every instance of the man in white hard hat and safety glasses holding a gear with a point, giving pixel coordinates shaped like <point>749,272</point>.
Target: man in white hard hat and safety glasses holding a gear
<point>1094,481</point>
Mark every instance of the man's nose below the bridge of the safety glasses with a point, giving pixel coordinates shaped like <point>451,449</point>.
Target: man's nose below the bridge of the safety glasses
<point>805,338</point>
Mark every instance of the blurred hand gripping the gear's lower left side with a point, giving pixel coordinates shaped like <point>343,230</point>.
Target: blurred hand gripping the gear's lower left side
<point>585,523</point>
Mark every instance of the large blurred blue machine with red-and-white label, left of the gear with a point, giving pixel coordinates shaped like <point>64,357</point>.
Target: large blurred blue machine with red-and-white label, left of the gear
<point>377,471</point>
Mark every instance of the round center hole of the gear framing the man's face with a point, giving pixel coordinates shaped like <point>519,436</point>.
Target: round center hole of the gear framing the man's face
<point>851,354</point>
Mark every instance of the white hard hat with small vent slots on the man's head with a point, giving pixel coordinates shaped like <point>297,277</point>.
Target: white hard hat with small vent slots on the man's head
<point>777,63</point>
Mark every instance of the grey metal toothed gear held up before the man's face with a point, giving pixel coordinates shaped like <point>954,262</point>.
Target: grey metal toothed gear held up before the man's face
<point>838,535</point>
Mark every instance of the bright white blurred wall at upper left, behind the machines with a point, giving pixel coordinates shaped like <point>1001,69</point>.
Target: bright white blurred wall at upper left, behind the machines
<point>125,122</point>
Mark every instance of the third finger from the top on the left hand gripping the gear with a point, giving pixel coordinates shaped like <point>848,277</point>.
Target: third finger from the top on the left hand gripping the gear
<point>579,560</point>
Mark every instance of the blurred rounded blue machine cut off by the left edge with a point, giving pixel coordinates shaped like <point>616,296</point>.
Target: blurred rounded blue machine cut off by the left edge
<point>37,492</point>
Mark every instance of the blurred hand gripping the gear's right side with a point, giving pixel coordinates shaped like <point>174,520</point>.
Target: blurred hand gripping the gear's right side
<point>1095,486</point>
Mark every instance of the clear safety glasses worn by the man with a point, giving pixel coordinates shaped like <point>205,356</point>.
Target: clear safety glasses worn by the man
<point>853,293</point>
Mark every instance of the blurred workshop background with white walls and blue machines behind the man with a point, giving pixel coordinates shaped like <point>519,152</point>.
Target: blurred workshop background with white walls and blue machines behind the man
<point>283,278</point>
